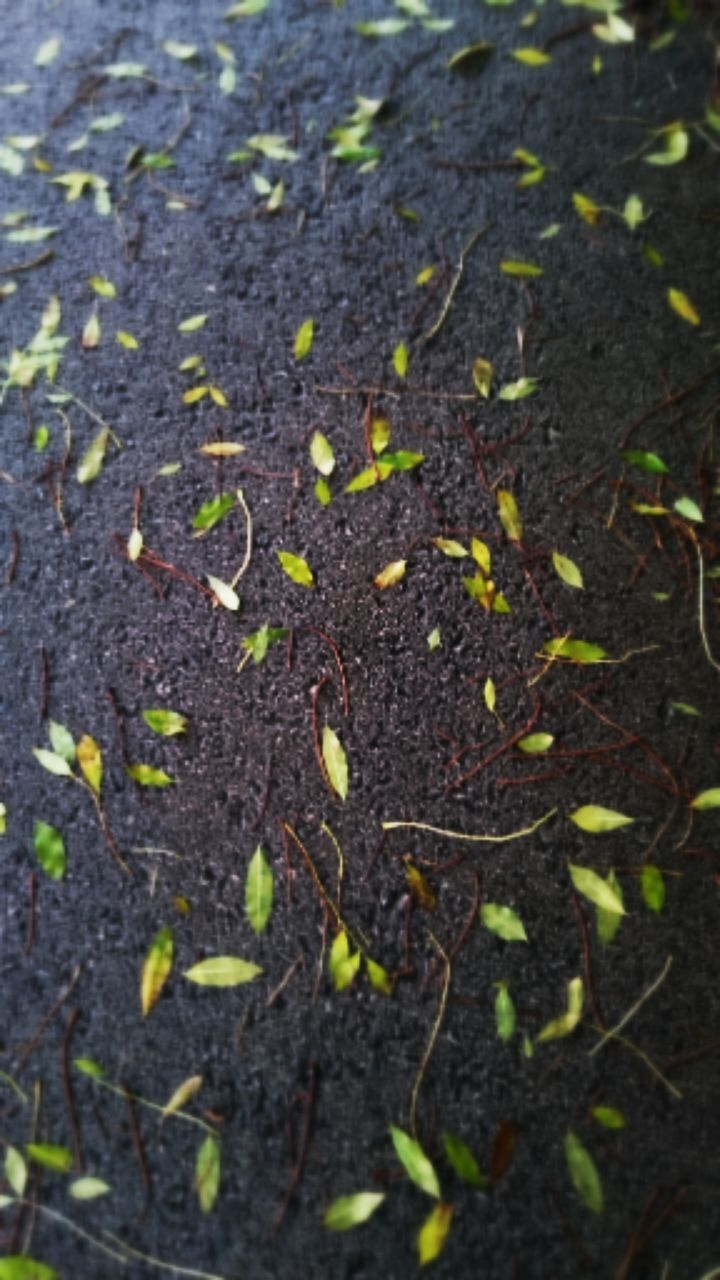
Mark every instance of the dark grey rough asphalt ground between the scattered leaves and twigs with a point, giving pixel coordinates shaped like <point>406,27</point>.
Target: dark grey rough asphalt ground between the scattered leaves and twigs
<point>607,348</point>
